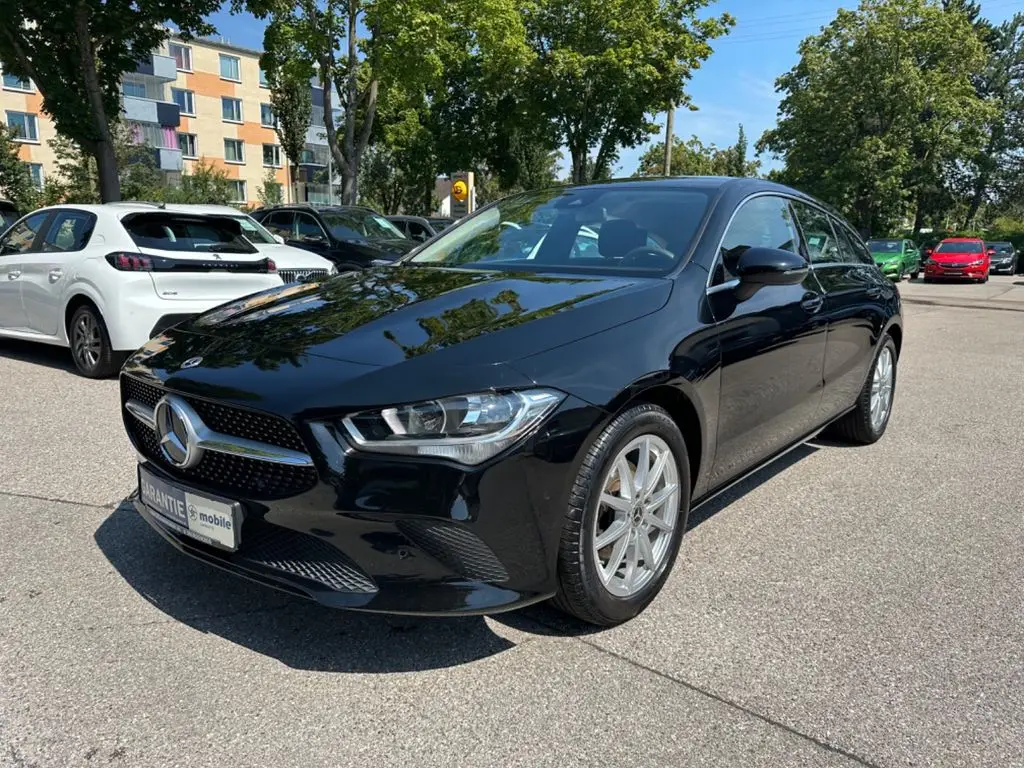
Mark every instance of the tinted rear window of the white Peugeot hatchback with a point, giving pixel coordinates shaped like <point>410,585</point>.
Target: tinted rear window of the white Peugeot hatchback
<point>187,234</point>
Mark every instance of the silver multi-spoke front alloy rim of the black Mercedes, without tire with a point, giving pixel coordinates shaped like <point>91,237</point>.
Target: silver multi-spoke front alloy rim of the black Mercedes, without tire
<point>637,514</point>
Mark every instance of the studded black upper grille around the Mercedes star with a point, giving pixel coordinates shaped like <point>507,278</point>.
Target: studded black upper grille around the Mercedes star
<point>231,476</point>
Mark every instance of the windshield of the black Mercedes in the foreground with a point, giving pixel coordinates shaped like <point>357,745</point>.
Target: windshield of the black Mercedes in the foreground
<point>605,230</point>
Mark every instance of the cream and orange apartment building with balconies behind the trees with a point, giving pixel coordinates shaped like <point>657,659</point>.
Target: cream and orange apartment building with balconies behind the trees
<point>202,101</point>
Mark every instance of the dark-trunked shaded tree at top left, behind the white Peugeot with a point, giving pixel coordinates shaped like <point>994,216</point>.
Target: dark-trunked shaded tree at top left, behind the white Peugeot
<point>77,55</point>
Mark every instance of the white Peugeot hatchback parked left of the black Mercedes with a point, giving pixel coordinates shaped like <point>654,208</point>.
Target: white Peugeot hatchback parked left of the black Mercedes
<point>104,280</point>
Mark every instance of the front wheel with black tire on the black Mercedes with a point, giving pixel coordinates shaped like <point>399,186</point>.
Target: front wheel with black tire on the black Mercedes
<point>626,519</point>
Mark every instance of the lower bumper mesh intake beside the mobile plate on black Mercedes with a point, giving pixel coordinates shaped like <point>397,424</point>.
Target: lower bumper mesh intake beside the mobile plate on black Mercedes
<point>305,557</point>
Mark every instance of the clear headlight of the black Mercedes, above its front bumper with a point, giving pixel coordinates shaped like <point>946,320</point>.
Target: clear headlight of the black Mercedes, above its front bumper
<point>468,429</point>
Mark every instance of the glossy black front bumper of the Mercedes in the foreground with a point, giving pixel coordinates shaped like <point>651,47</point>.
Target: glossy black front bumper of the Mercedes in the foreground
<point>399,536</point>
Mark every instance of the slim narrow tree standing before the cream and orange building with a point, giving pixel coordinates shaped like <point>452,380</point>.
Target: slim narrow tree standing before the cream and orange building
<point>289,74</point>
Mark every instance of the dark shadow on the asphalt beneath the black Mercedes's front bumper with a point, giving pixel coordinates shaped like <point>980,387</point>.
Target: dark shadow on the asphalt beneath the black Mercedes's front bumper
<point>300,633</point>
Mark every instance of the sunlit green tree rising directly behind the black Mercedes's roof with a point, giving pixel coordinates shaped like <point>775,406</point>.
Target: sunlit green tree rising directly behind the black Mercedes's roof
<point>603,68</point>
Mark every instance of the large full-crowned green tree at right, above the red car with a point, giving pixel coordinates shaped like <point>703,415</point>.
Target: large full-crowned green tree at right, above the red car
<point>880,101</point>
